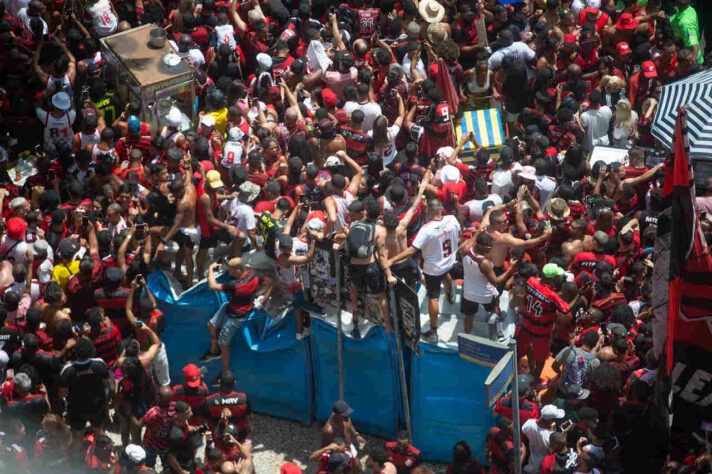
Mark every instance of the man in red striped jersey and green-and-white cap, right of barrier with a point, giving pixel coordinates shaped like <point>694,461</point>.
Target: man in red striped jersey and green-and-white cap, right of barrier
<point>543,309</point>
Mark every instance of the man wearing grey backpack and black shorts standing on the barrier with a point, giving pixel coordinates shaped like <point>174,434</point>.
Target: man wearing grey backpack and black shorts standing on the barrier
<point>368,262</point>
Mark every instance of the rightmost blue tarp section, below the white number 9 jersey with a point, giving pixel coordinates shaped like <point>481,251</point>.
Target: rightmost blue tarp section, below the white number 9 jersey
<point>447,403</point>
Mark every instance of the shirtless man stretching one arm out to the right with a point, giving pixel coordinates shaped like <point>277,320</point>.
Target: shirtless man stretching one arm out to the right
<point>496,224</point>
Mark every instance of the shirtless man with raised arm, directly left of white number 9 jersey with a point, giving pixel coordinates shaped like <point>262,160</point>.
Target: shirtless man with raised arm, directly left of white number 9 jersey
<point>397,238</point>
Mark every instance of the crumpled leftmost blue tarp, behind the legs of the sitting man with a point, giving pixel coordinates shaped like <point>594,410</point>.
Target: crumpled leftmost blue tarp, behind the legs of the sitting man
<point>276,372</point>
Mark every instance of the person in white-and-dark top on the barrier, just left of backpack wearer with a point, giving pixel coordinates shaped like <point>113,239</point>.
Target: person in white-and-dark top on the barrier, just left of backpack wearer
<point>291,255</point>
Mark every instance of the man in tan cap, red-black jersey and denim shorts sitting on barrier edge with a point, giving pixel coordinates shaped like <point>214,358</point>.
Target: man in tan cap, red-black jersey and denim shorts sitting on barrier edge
<point>241,290</point>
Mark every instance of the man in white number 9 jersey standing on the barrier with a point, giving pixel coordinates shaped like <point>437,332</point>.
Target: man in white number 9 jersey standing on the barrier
<point>438,241</point>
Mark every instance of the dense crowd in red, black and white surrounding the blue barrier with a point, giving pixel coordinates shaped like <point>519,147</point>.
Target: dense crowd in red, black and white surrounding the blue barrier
<point>326,122</point>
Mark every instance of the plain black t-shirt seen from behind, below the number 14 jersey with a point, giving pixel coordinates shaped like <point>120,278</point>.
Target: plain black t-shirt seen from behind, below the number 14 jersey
<point>85,381</point>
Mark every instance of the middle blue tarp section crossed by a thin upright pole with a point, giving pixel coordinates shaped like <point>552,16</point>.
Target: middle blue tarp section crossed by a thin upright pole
<point>370,378</point>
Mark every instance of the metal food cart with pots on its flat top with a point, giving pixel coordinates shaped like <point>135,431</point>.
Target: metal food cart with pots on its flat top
<point>142,75</point>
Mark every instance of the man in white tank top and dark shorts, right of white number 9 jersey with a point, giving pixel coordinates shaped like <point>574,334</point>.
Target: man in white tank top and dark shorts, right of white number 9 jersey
<point>479,284</point>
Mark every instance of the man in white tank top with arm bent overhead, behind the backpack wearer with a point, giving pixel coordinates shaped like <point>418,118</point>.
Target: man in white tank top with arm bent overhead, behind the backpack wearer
<point>337,205</point>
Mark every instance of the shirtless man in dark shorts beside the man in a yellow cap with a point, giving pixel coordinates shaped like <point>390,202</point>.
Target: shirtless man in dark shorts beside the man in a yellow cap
<point>183,230</point>
